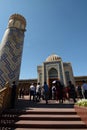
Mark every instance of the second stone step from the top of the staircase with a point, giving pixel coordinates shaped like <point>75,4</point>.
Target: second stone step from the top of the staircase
<point>43,117</point>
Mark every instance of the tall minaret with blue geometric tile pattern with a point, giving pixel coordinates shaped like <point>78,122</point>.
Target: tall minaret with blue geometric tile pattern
<point>11,49</point>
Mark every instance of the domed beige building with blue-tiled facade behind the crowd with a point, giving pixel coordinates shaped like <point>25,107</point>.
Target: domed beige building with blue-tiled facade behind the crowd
<point>55,69</point>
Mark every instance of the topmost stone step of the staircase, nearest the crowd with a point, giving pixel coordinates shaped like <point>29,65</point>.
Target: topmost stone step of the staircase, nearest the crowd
<point>63,111</point>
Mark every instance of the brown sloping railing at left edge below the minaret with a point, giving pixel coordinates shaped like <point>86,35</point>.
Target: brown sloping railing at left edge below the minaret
<point>5,95</point>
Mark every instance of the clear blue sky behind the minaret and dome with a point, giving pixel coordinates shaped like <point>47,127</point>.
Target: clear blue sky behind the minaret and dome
<point>53,26</point>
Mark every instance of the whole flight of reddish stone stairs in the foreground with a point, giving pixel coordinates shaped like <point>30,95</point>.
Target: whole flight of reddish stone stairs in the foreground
<point>41,119</point>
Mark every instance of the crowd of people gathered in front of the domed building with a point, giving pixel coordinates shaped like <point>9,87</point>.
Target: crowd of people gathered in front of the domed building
<point>57,92</point>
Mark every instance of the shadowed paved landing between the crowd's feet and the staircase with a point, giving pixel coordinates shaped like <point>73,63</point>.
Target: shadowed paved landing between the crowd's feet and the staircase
<point>25,103</point>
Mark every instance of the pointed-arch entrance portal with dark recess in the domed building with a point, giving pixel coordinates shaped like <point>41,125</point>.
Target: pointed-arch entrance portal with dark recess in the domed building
<point>52,75</point>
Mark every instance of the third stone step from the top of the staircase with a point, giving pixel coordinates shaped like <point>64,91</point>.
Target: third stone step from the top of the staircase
<point>48,124</point>
